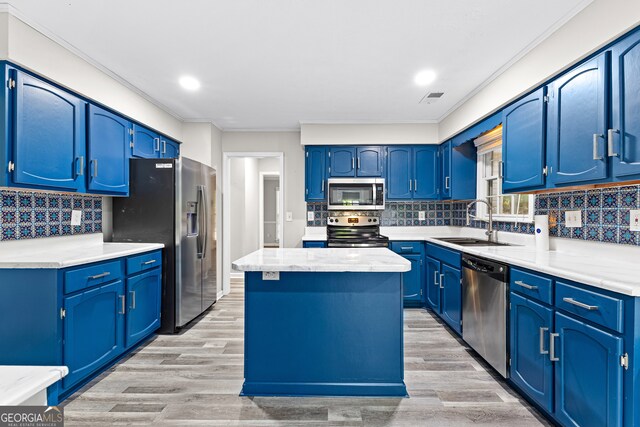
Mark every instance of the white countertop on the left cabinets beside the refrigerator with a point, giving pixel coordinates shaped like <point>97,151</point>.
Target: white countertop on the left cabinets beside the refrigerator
<point>66,251</point>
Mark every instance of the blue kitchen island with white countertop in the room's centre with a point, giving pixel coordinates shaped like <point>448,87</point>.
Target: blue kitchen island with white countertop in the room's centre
<point>323,322</point>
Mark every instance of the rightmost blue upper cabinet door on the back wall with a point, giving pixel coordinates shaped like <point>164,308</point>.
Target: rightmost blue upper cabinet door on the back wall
<point>426,167</point>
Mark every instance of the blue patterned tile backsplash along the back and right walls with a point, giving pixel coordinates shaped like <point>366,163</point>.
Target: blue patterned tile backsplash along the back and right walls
<point>605,214</point>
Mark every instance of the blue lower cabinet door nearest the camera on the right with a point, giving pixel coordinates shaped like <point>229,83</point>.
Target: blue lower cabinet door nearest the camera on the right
<point>588,375</point>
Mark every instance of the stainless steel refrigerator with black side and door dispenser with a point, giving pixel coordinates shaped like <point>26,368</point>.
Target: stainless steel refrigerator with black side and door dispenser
<point>173,201</point>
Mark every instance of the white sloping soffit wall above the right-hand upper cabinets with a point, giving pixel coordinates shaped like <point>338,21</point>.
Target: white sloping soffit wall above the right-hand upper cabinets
<point>595,26</point>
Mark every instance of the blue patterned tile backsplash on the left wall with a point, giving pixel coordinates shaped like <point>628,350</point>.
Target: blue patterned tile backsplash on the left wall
<point>29,215</point>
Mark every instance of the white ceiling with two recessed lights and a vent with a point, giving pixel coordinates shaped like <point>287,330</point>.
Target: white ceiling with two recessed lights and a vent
<point>273,64</point>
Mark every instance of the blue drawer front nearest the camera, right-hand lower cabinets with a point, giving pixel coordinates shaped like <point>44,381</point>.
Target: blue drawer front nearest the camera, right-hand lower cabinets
<point>594,306</point>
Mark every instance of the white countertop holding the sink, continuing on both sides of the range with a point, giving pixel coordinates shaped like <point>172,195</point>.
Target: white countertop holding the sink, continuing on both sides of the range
<point>601,265</point>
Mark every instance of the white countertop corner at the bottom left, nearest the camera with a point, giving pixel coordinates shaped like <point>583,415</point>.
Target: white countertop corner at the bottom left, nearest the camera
<point>19,383</point>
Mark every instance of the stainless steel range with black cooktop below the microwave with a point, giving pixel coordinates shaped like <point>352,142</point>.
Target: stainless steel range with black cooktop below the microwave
<point>355,231</point>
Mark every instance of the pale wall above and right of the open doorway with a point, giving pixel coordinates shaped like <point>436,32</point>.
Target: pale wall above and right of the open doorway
<point>293,191</point>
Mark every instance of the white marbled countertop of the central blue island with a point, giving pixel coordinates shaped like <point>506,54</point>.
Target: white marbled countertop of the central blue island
<point>326,260</point>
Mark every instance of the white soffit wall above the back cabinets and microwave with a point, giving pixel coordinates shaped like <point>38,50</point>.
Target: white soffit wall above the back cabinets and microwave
<point>369,134</point>
